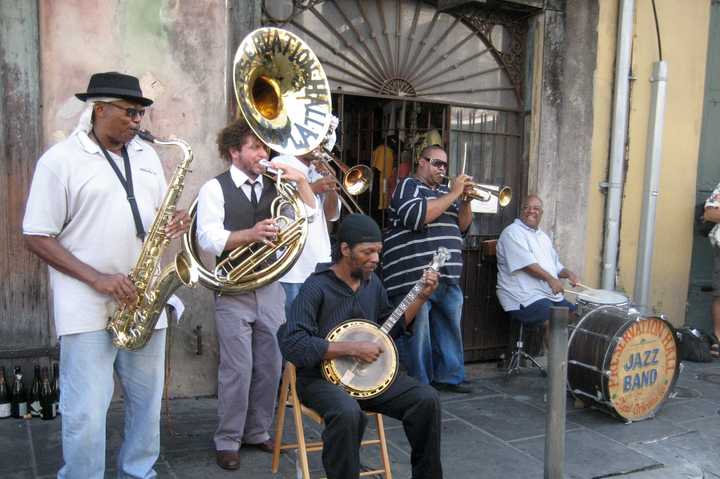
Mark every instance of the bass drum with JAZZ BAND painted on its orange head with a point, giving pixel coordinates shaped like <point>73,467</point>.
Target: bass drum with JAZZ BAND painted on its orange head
<point>623,361</point>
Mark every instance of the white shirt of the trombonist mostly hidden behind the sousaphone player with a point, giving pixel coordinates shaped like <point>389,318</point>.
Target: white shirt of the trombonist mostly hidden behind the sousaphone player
<point>317,245</point>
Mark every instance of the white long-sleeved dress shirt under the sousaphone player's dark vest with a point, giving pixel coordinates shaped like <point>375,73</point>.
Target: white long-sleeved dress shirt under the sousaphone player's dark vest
<point>211,233</point>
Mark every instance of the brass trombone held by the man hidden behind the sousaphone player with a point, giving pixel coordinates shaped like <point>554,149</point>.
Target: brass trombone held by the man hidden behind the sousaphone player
<point>355,180</point>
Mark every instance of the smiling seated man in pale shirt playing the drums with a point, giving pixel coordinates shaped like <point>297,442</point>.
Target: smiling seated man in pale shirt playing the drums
<point>529,269</point>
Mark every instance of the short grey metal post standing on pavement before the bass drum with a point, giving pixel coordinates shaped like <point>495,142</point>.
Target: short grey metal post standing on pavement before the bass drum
<point>557,379</point>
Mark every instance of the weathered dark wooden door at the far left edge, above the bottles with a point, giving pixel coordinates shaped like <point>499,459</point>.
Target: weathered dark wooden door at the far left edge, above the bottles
<point>25,331</point>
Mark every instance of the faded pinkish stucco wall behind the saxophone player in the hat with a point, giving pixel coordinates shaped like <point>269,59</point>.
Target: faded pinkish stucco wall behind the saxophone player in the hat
<point>179,51</point>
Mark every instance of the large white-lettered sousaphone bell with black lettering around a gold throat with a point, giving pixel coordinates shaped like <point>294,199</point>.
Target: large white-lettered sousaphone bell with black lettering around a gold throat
<point>282,91</point>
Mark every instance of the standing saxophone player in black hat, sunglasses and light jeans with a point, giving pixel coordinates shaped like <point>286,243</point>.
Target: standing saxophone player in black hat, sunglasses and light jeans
<point>92,198</point>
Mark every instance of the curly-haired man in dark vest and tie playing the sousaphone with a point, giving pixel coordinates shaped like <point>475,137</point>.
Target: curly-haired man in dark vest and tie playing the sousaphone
<point>234,209</point>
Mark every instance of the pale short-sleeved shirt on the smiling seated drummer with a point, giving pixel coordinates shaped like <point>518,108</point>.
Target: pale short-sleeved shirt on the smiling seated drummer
<point>520,246</point>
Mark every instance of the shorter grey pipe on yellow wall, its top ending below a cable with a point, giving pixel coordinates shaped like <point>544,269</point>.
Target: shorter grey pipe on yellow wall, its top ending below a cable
<point>653,157</point>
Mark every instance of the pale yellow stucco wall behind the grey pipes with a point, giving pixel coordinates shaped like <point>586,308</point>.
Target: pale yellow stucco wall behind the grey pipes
<point>684,34</point>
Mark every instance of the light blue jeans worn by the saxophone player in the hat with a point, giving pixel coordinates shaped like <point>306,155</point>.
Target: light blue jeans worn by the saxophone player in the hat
<point>87,362</point>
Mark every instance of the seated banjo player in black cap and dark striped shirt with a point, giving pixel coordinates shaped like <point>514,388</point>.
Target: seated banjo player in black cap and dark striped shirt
<point>347,289</point>
